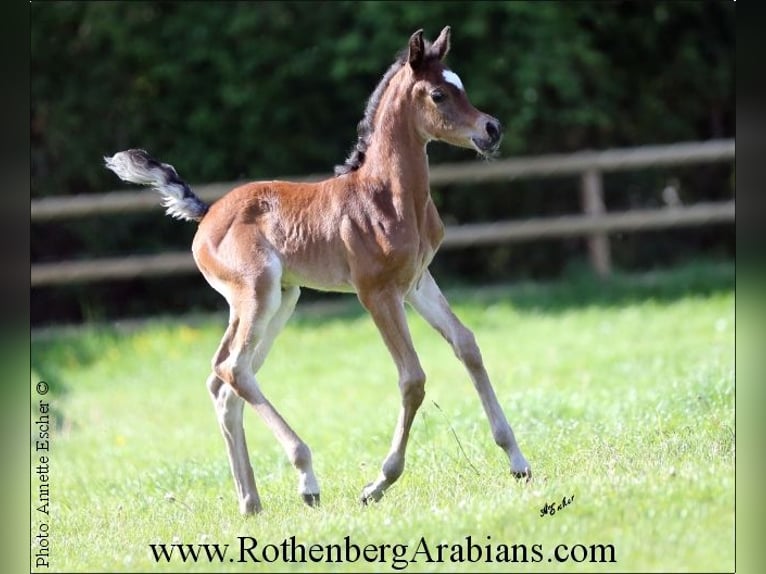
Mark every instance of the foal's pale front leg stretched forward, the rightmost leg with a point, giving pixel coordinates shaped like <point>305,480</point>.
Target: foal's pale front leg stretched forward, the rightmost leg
<point>428,300</point>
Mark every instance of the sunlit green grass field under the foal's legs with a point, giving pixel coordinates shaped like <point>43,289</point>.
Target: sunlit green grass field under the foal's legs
<point>621,394</point>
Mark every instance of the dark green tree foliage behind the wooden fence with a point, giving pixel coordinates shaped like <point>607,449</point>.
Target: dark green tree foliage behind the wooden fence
<point>227,91</point>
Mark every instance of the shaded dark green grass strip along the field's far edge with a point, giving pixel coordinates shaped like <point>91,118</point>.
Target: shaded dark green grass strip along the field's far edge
<point>578,288</point>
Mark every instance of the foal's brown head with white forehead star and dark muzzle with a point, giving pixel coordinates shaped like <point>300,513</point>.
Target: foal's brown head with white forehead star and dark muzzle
<point>444,111</point>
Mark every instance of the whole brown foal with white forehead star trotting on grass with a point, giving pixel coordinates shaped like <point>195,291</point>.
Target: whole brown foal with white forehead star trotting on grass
<point>372,229</point>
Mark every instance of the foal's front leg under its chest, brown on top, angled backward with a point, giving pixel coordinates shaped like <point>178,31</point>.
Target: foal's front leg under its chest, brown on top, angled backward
<point>387,310</point>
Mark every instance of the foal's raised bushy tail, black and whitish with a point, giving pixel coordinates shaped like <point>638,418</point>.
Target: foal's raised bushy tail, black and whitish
<point>137,166</point>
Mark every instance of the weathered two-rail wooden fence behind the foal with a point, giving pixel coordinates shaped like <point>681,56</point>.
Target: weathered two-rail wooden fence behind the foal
<point>595,223</point>
